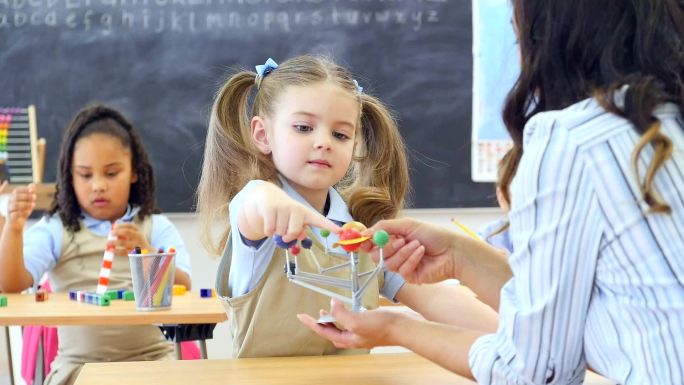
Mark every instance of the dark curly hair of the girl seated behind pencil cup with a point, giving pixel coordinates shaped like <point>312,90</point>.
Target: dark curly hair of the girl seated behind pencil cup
<point>100,119</point>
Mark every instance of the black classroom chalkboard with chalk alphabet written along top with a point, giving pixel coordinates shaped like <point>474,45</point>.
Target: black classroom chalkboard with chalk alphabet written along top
<point>161,61</point>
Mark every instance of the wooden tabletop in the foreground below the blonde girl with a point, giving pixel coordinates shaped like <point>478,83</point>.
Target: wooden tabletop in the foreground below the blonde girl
<point>368,369</point>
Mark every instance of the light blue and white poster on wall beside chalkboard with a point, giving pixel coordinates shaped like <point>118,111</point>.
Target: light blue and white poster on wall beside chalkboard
<point>495,69</point>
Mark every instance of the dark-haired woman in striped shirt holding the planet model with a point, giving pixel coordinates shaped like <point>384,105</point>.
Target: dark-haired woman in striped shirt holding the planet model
<point>597,218</point>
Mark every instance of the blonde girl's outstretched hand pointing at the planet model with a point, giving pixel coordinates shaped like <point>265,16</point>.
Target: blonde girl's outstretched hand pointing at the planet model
<point>268,210</point>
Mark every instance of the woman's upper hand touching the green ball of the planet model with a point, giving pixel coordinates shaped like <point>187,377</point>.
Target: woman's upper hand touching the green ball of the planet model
<point>420,252</point>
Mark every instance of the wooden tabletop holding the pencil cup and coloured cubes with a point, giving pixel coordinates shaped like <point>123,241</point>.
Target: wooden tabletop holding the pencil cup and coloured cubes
<point>59,310</point>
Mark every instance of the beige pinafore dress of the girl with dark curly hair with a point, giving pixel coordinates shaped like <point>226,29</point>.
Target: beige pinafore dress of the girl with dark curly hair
<point>78,269</point>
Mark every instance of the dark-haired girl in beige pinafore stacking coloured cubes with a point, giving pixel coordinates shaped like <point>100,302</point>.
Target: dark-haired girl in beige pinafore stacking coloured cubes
<point>105,187</point>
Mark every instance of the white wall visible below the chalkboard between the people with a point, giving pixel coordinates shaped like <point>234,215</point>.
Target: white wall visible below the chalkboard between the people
<point>204,267</point>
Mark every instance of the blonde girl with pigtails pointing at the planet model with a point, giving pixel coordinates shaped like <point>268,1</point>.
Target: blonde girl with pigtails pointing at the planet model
<point>293,149</point>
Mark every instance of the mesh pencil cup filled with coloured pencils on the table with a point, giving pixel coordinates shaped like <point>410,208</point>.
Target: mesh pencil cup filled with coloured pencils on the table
<point>153,277</point>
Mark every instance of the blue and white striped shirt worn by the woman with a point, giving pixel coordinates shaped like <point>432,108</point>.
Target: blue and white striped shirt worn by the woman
<point>597,280</point>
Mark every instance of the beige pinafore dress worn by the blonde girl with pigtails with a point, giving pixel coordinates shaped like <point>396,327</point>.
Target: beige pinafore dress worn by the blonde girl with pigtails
<point>263,322</point>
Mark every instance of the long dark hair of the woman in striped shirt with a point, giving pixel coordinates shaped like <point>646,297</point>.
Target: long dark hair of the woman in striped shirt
<point>573,50</point>
